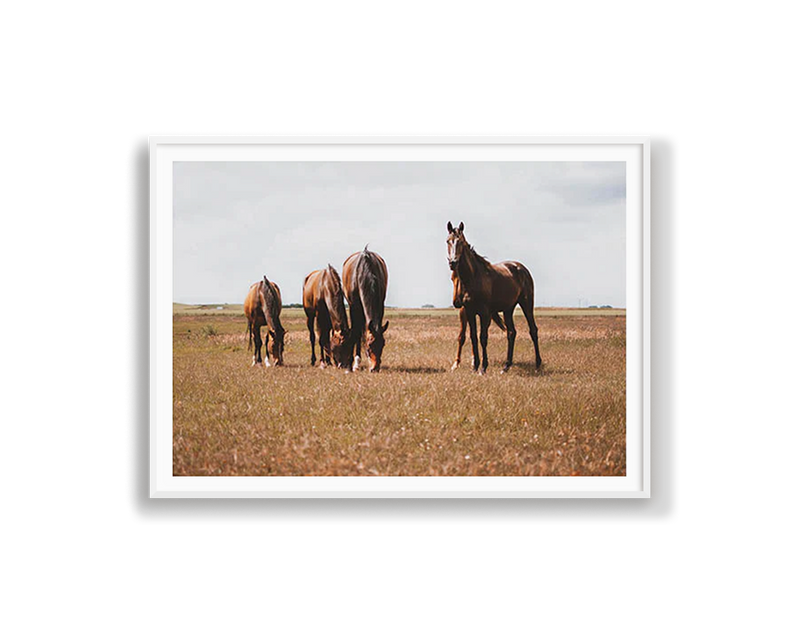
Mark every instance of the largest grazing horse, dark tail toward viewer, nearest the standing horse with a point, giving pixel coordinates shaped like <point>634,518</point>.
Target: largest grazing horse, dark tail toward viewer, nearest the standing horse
<point>365,280</point>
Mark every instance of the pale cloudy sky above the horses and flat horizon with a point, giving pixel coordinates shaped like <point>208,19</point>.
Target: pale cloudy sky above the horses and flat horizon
<point>235,222</point>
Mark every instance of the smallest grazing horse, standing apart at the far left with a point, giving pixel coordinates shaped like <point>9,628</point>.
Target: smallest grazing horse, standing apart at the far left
<point>262,306</point>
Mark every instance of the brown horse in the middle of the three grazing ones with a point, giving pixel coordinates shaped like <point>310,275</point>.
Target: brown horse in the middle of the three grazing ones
<point>323,299</point>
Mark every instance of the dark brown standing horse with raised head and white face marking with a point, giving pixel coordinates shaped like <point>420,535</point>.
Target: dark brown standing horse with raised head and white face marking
<point>483,289</point>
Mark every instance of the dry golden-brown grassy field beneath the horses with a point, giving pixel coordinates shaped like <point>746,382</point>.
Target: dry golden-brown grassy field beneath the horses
<point>416,417</point>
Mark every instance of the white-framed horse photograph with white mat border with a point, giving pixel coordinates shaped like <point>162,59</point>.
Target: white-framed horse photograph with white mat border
<point>401,313</point>
